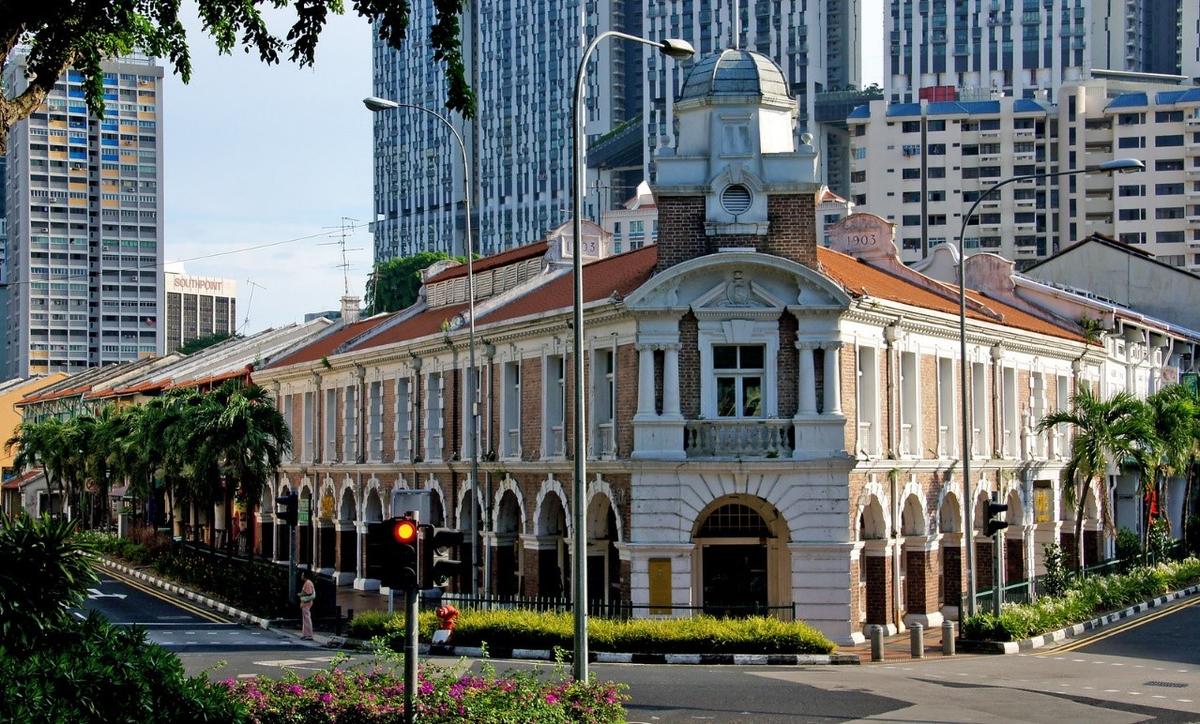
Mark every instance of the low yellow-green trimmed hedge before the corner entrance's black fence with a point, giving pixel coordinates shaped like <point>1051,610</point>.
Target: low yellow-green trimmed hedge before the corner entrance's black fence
<point>507,629</point>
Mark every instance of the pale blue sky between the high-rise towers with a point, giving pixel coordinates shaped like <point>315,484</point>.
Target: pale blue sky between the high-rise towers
<point>257,154</point>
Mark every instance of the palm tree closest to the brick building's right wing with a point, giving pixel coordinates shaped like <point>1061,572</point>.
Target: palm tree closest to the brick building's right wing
<point>1105,432</point>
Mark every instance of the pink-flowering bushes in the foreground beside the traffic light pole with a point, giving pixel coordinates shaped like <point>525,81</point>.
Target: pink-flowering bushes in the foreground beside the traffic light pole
<point>443,695</point>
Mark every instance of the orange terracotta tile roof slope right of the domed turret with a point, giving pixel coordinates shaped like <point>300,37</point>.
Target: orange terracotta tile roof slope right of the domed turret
<point>863,280</point>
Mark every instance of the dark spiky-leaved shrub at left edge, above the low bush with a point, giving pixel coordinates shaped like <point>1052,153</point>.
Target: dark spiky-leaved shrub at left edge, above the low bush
<point>45,571</point>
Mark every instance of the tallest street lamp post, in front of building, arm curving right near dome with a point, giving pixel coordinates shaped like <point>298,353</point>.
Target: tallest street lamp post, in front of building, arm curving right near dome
<point>680,50</point>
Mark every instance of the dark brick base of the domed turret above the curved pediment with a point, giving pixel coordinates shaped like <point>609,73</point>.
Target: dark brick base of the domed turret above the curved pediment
<point>791,219</point>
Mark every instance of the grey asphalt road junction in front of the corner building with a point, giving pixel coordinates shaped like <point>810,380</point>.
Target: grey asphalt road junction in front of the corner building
<point>1144,671</point>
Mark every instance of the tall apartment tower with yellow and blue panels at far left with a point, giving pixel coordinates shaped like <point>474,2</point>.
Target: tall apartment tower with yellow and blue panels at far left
<point>85,211</point>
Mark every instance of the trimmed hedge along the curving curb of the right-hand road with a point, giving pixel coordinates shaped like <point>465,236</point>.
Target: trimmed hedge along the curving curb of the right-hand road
<point>1085,600</point>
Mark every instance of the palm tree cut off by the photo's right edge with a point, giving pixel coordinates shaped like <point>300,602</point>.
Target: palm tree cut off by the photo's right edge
<point>1173,415</point>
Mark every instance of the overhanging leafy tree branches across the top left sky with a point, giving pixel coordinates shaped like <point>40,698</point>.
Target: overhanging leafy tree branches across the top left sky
<point>82,34</point>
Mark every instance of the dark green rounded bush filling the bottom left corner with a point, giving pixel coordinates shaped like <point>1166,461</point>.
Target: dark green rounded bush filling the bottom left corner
<point>93,672</point>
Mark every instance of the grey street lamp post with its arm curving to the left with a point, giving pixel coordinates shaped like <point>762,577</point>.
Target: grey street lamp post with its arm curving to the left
<point>377,105</point>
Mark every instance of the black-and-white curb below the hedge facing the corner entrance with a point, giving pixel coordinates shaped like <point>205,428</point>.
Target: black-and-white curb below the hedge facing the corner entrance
<point>607,657</point>
